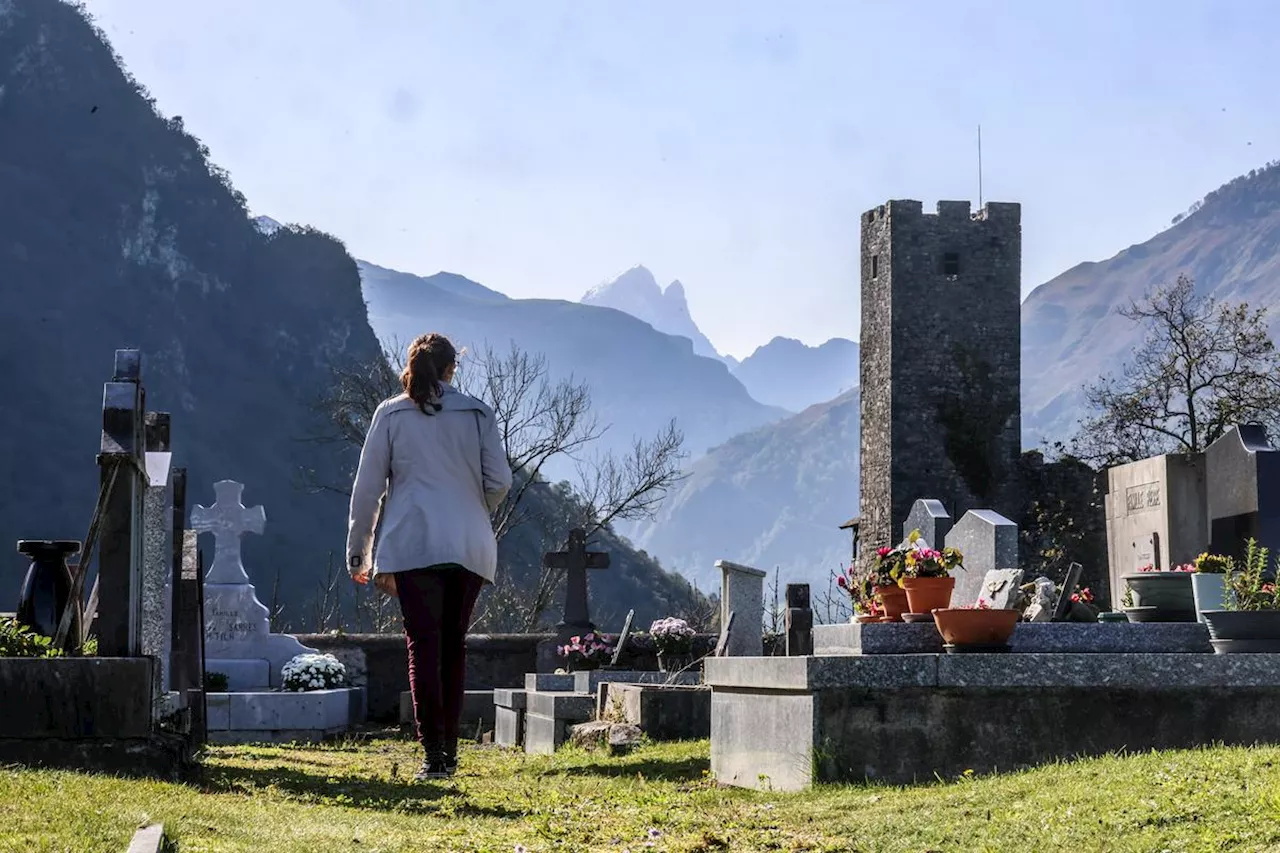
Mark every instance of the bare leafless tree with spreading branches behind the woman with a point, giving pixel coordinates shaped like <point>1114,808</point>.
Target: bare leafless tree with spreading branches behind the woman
<point>542,421</point>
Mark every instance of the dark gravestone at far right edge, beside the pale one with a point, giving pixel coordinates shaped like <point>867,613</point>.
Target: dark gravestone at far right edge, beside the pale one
<point>1244,491</point>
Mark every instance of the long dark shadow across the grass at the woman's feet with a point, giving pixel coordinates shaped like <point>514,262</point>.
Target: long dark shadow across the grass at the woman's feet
<point>405,797</point>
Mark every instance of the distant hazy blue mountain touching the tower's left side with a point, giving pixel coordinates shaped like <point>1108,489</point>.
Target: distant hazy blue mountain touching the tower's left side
<point>794,376</point>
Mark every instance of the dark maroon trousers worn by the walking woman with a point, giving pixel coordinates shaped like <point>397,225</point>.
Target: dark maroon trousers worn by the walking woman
<point>437,605</point>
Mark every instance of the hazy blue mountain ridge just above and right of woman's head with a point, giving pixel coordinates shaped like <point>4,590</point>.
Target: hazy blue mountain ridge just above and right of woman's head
<point>641,378</point>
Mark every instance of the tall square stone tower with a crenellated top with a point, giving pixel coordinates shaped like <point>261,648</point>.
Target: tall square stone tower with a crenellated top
<point>941,349</point>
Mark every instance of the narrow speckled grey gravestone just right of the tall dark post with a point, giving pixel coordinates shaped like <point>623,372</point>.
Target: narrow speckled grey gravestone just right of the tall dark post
<point>158,532</point>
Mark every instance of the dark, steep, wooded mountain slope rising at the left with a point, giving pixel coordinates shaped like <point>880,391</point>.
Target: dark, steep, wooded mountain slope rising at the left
<point>117,231</point>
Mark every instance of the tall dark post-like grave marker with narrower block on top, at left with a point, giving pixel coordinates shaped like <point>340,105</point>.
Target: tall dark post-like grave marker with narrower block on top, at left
<point>120,556</point>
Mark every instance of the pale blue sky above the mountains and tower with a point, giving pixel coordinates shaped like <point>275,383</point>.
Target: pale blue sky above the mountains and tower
<point>542,148</point>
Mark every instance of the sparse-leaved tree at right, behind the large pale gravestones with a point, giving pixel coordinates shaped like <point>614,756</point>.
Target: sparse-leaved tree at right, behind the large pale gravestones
<point>1203,367</point>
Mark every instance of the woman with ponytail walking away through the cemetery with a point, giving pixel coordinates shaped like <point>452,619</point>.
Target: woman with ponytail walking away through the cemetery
<point>435,463</point>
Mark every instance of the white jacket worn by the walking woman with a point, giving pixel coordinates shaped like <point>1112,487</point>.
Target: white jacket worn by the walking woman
<point>438,478</point>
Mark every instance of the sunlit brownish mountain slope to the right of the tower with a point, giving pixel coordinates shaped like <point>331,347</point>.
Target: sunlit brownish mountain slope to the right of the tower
<point>1072,335</point>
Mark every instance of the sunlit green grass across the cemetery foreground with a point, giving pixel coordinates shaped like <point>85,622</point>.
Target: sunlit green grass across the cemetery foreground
<point>356,797</point>
